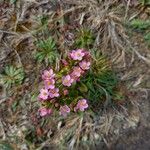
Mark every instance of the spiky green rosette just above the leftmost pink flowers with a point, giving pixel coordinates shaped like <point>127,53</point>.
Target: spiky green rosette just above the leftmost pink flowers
<point>47,51</point>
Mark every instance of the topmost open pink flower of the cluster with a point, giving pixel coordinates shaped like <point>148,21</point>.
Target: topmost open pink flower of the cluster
<point>77,54</point>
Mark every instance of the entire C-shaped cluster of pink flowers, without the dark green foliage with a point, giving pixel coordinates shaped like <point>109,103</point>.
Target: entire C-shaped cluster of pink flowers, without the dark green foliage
<point>56,86</point>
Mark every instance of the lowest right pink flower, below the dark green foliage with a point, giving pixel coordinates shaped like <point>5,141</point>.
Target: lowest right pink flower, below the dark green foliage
<point>81,105</point>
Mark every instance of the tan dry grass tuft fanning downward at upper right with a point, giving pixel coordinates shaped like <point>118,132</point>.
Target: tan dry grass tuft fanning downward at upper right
<point>108,23</point>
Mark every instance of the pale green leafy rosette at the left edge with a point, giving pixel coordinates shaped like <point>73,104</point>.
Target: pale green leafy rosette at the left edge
<point>12,75</point>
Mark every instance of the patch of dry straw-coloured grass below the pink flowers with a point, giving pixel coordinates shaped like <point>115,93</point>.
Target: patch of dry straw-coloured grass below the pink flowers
<point>89,131</point>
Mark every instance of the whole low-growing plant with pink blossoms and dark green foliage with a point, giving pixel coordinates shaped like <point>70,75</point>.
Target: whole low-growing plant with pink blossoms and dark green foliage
<point>83,79</point>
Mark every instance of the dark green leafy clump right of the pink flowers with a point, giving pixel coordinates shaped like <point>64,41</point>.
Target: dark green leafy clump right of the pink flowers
<point>100,87</point>
